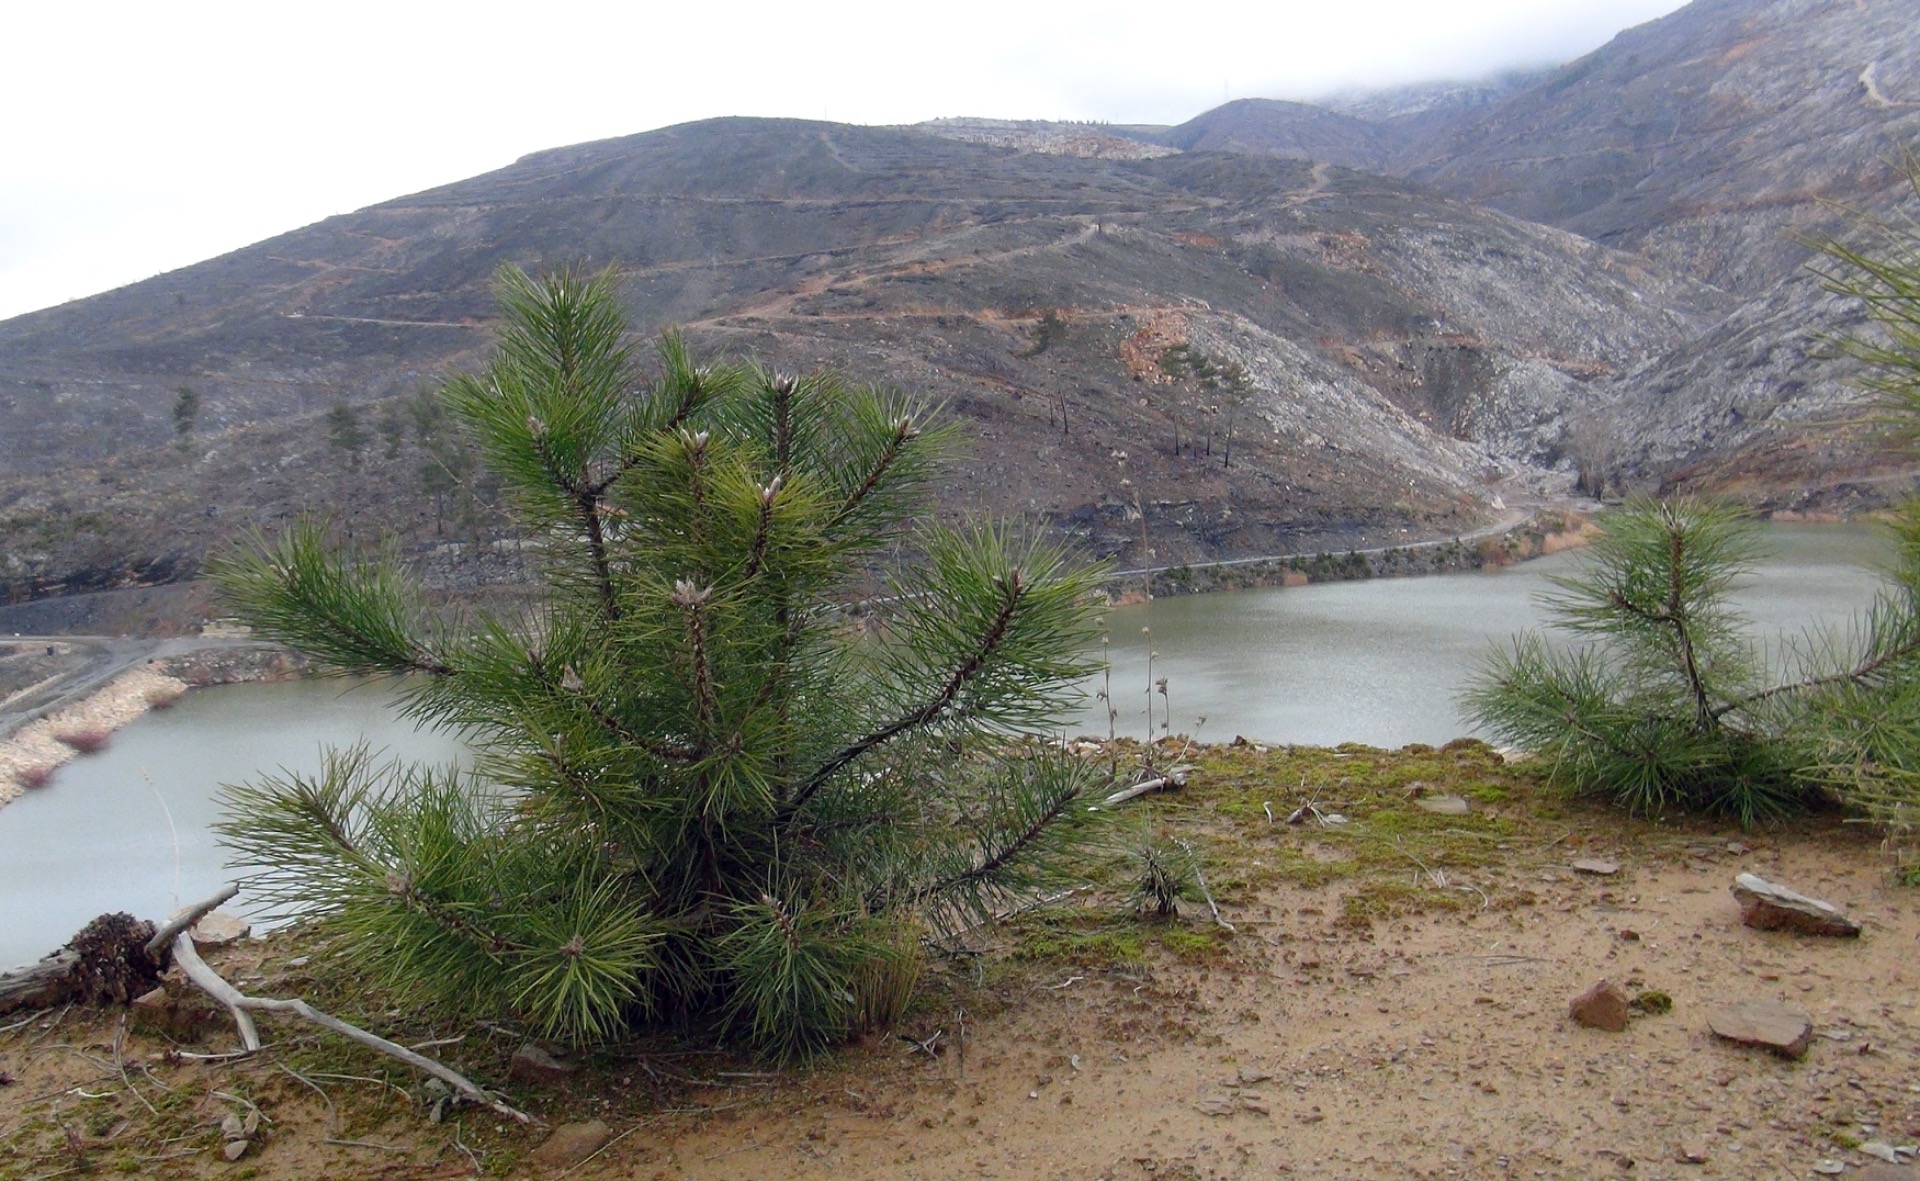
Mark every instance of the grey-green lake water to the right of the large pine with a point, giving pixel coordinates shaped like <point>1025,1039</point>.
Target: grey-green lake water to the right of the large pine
<point>1381,662</point>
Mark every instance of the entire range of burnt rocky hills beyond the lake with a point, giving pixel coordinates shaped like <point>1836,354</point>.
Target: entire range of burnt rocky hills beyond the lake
<point>1182,343</point>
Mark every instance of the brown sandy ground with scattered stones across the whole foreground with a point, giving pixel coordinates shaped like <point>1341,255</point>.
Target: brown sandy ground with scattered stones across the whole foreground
<point>1429,1046</point>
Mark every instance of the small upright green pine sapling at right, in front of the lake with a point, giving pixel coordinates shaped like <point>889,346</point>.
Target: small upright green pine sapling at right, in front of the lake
<point>1650,700</point>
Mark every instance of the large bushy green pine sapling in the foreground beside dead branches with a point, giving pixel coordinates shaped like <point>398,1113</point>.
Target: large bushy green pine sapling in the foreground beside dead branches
<point>702,788</point>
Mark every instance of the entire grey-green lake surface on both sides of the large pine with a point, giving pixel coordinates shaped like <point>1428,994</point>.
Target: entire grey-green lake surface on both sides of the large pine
<point>1343,662</point>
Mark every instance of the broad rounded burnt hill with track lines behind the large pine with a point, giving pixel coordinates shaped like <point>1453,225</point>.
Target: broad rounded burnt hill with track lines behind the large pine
<point>1378,360</point>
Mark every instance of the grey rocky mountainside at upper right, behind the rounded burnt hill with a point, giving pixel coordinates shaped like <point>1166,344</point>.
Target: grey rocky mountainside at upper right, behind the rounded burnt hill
<point>1716,143</point>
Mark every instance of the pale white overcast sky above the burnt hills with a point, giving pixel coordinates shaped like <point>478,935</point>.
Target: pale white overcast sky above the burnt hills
<point>147,137</point>
